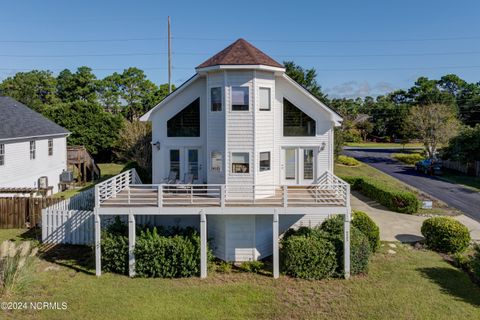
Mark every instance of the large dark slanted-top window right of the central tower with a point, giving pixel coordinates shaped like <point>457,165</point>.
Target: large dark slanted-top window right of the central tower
<point>295,122</point>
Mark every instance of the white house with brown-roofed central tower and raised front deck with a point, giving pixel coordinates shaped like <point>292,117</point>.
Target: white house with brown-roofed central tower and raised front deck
<point>239,144</point>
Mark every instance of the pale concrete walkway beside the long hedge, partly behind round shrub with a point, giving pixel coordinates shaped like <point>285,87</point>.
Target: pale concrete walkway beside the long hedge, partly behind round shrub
<point>402,227</point>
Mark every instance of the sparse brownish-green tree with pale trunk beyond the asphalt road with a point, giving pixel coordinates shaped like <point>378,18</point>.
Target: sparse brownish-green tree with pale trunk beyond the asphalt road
<point>434,124</point>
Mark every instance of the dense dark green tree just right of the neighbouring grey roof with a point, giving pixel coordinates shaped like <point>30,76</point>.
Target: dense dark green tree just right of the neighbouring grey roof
<point>89,125</point>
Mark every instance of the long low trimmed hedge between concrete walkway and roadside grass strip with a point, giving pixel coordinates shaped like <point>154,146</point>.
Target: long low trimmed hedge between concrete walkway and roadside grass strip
<point>399,201</point>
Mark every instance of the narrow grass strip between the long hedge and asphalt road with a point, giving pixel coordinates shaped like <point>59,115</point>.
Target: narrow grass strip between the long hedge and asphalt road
<point>365,170</point>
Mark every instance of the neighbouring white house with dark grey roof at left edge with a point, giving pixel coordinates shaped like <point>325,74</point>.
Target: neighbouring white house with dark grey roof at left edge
<point>32,148</point>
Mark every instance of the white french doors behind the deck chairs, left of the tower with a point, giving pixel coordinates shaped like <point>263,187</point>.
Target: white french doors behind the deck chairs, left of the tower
<point>186,160</point>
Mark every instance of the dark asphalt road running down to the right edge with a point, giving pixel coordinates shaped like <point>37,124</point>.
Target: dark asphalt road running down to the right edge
<point>456,196</point>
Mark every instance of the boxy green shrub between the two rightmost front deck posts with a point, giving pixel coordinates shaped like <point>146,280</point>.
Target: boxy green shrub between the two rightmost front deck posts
<point>308,257</point>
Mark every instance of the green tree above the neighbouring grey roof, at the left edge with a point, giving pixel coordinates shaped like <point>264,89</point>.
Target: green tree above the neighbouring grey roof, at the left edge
<point>36,89</point>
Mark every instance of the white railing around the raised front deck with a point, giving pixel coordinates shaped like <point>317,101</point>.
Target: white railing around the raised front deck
<point>124,190</point>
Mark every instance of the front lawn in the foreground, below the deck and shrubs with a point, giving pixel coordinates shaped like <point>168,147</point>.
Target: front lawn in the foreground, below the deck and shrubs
<point>414,283</point>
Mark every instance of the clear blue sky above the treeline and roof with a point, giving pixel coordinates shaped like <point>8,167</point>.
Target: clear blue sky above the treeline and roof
<point>358,48</point>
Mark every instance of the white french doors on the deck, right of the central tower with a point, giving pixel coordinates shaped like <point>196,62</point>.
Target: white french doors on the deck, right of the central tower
<point>298,165</point>
